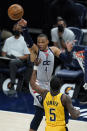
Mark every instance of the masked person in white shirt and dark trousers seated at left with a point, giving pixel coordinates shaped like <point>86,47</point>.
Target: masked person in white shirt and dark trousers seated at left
<point>15,47</point>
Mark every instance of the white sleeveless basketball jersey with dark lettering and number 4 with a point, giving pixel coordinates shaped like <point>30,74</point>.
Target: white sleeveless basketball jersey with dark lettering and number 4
<point>45,68</point>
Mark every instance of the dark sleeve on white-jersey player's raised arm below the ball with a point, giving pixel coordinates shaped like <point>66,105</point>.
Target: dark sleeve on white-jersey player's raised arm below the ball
<point>27,37</point>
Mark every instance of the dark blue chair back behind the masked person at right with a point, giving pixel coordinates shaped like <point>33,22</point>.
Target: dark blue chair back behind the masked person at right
<point>78,35</point>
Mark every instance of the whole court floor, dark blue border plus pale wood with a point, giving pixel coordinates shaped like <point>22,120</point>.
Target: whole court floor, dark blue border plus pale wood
<point>17,112</point>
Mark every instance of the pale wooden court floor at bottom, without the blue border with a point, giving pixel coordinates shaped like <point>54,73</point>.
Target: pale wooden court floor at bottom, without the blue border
<point>12,121</point>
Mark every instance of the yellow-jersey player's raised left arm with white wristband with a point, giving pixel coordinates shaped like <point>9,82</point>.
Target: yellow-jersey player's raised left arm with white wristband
<point>36,87</point>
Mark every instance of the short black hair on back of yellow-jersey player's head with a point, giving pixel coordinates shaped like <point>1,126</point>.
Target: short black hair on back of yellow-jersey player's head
<point>55,83</point>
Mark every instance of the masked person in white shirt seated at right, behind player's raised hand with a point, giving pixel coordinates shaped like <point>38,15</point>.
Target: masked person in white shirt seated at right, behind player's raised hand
<point>61,34</point>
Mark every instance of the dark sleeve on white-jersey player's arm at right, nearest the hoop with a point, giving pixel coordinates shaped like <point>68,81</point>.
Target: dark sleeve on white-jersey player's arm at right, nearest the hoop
<point>66,57</point>
